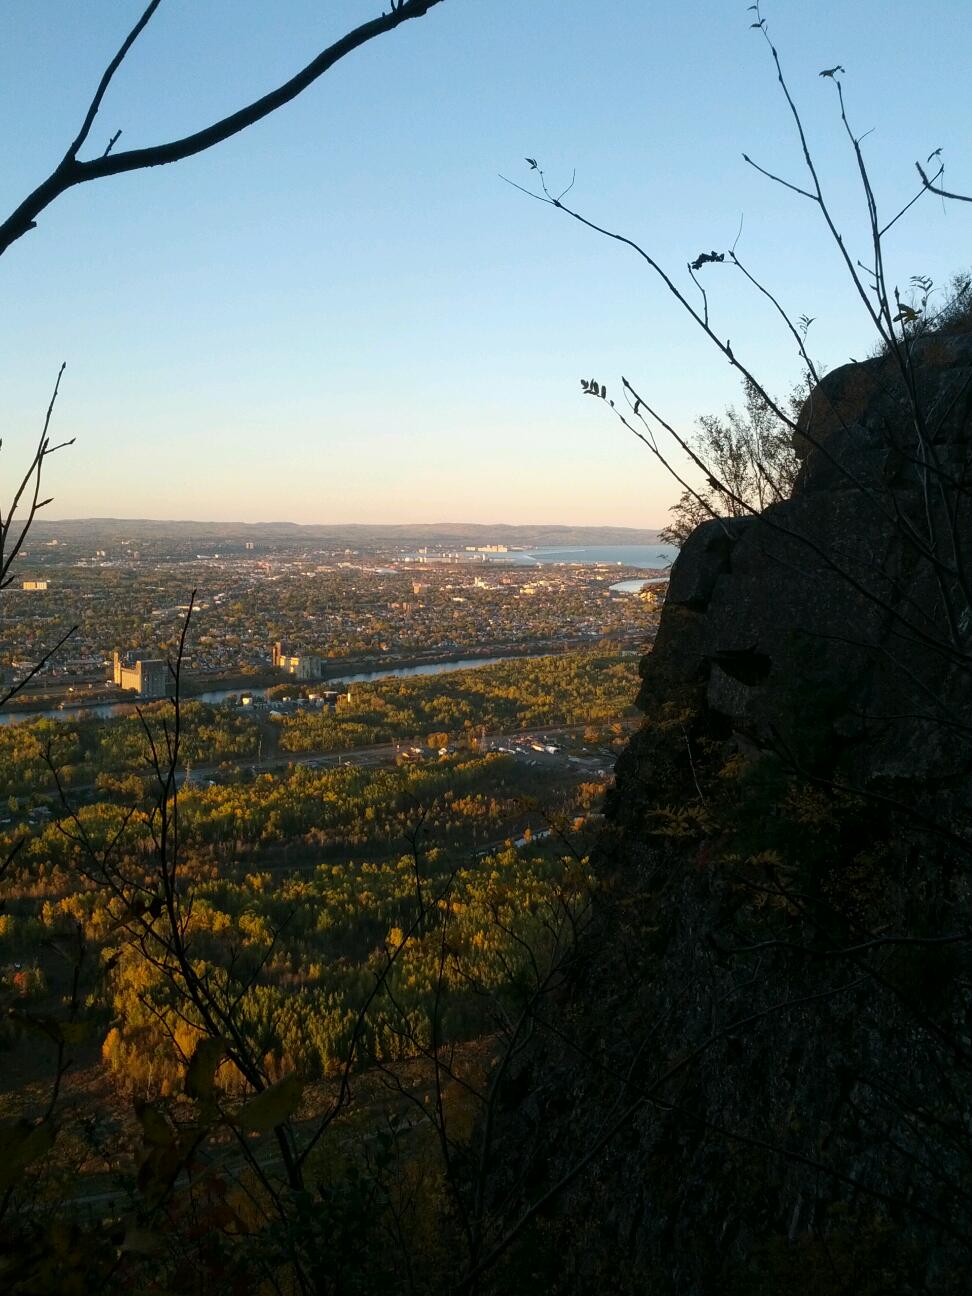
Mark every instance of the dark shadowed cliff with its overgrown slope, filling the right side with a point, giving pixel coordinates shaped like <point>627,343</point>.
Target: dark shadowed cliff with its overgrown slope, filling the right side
<point>761,1080</point>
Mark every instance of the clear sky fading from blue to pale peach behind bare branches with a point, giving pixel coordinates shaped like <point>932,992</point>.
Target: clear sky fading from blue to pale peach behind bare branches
<point>345,316</point>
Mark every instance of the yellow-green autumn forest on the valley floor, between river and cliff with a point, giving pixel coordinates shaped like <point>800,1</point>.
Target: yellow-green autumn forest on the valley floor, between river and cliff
<point>343,922</point>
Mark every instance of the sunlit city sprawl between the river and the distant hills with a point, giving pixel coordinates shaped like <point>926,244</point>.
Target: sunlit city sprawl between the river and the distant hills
<point>332,607</point>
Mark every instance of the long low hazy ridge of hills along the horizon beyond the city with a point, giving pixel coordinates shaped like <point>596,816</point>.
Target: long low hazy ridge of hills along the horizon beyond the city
<point>352,535</point>
